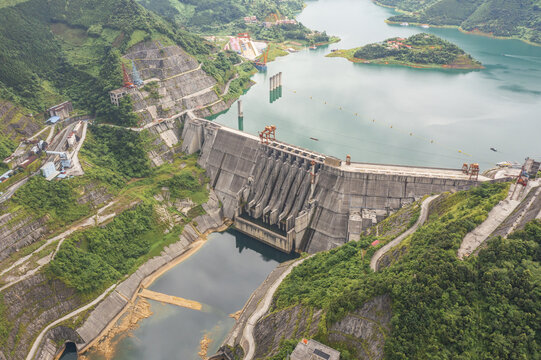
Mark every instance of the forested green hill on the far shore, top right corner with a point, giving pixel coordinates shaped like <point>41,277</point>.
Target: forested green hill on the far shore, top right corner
<point>508,18</point>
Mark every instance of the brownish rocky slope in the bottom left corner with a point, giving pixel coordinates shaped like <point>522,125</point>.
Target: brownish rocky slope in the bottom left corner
<point>31,305</point>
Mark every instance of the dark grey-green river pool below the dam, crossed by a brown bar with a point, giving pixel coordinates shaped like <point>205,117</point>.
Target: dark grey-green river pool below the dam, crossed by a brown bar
<point>221,275</point>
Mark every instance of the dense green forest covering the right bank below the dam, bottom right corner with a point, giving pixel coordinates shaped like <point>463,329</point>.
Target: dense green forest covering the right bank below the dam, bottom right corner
<point>485,307</point>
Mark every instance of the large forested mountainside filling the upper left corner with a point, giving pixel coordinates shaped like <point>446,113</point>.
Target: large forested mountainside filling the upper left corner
<point>55,50</point>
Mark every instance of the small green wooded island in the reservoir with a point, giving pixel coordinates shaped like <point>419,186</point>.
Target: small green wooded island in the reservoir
<point>418,51</point>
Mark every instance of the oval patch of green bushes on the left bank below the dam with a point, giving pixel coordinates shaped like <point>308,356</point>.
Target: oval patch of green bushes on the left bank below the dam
<point>95,258</point>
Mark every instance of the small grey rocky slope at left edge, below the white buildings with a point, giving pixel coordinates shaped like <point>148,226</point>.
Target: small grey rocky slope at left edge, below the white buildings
<point>17,233</point>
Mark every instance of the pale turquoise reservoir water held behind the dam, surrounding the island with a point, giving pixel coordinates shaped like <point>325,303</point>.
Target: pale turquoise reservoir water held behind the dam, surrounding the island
<point>446,111</point>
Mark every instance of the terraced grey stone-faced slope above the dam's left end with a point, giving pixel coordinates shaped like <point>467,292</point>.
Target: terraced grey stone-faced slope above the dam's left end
<point>180,83</point>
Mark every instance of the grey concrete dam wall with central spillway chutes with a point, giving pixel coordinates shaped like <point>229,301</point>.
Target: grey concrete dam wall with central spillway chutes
<point>297,200</point>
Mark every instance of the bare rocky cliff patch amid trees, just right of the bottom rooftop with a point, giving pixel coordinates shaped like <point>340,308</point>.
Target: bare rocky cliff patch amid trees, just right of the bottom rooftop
<point>366,328</point>
